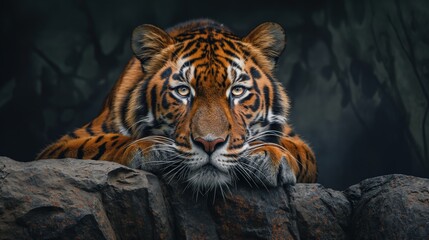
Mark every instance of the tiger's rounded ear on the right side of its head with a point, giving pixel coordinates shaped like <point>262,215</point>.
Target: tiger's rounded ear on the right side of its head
<point>270,38</point>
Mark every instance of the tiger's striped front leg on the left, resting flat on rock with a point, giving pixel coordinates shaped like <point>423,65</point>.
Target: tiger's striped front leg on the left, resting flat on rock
<point>142,153</point>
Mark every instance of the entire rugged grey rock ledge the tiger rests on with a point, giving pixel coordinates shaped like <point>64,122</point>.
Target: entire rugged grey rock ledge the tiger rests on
<point>75,199</point>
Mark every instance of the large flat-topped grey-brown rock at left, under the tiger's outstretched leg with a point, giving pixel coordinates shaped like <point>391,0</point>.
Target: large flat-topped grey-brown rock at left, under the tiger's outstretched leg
<point>75,199</point>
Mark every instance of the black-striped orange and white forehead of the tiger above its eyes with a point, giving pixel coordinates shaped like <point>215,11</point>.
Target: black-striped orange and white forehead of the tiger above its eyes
<point>209,55</point>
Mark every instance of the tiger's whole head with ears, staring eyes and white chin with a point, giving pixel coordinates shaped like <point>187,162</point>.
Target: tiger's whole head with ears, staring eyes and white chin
<point>209,94</point>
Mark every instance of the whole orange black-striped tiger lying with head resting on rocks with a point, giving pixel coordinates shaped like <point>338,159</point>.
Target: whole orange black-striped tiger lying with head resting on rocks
<point>199,105</point>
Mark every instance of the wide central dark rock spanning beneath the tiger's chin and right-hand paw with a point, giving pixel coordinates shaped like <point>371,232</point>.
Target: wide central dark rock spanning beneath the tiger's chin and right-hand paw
<point>242,213</point>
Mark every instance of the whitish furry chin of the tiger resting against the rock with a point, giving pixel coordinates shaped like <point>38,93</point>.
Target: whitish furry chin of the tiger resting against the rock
<point>208,177</point>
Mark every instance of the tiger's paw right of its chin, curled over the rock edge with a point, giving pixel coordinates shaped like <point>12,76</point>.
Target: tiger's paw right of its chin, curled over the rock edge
<point>267,170</point>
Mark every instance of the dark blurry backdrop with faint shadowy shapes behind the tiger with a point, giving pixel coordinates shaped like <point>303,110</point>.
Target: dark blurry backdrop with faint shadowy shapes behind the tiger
<point>356,71</point>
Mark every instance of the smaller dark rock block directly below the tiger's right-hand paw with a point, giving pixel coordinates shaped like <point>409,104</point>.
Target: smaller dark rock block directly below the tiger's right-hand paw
<point>256,214</point>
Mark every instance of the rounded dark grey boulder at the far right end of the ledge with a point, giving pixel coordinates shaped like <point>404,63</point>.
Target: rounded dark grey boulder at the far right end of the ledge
<point>390,207</point>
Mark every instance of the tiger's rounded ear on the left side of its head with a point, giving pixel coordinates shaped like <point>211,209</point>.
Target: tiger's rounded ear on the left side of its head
<point>147,41</point>
